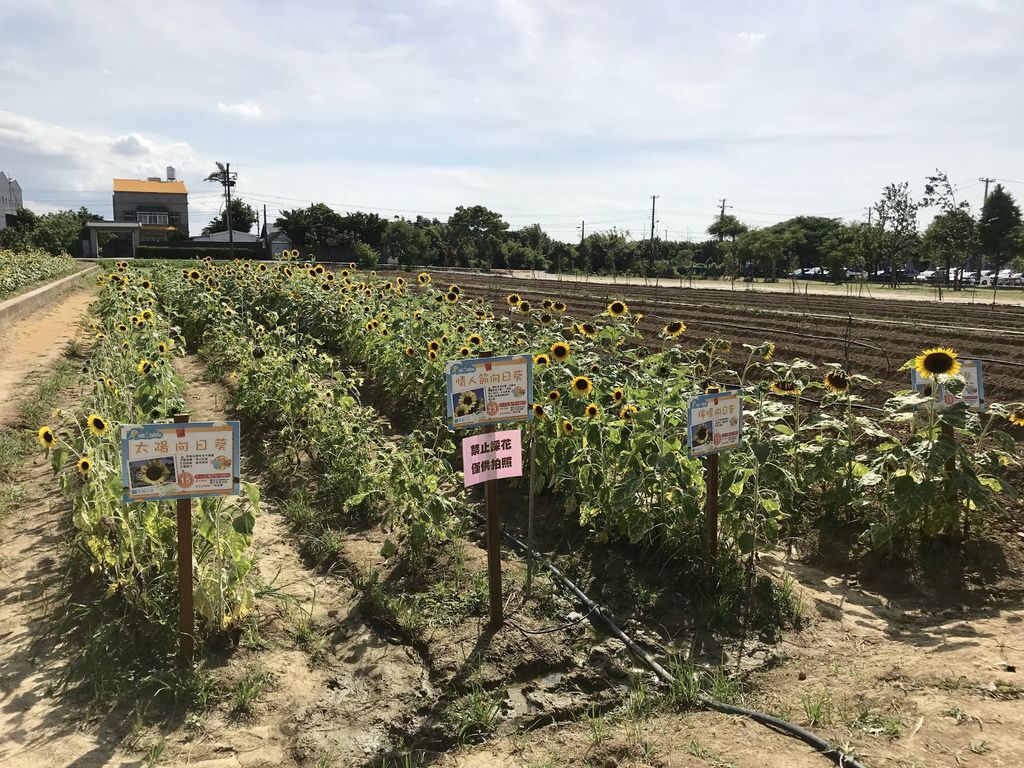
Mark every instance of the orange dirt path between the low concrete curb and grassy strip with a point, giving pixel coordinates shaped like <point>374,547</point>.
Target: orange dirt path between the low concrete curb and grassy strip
<point>37,340</point>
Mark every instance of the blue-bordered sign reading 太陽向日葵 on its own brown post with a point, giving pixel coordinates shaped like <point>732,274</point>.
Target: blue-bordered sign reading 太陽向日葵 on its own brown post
<point>180,461</point>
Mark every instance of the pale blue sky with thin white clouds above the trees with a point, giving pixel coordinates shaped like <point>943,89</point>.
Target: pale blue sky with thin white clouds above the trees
<point>547,111</point>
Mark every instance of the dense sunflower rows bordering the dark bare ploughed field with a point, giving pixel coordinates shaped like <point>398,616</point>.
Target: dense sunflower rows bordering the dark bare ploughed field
<point>610,432</point>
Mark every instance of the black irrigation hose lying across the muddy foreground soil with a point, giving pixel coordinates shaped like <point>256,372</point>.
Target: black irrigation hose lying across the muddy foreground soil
<point>828,750</point>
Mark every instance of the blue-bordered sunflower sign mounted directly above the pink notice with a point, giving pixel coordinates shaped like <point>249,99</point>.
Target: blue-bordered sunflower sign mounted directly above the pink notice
<point>490,391</point>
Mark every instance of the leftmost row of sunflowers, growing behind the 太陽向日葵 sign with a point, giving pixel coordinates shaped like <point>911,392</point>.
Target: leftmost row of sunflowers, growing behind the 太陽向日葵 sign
<point>127,550</point>
